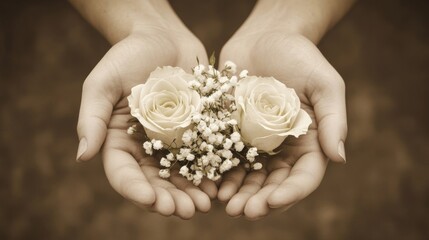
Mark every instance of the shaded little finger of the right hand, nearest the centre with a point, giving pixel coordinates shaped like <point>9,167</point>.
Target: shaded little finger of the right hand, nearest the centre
<point>230,184</point>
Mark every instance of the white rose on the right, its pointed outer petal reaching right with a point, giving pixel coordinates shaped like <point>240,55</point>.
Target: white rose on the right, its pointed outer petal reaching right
<point>268,112</point>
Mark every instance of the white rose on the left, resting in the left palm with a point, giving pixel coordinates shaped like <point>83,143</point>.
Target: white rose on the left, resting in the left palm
<point>164,104</point>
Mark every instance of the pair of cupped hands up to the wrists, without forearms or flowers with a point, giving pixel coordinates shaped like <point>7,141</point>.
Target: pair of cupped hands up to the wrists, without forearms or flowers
<point>284,180</point>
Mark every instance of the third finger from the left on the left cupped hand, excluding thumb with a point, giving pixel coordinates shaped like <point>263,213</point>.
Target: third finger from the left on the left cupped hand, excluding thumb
<point>184,207</point>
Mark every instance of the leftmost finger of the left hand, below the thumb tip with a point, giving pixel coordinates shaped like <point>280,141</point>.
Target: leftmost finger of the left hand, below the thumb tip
<point>126,177</point>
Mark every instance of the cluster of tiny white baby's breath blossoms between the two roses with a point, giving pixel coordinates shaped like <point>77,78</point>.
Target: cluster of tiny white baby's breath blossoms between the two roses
<point>212,145</point>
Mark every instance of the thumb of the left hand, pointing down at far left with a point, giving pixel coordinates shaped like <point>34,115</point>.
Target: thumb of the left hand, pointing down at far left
<point>99,94</point>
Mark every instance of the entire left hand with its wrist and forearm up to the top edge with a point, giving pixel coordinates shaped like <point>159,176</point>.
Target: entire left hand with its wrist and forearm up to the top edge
<point>142,39</point>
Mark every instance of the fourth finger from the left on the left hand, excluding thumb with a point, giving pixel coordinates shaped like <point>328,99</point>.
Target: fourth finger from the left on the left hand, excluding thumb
<point>200,199</point>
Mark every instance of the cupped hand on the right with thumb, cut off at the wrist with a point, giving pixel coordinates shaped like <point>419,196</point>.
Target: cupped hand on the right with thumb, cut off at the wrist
<point>298,170</point>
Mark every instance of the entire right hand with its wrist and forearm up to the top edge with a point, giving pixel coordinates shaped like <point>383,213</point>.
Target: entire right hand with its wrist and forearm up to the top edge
<point>284,46</point>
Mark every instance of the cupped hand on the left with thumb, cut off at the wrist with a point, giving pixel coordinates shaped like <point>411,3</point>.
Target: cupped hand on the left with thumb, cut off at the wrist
<point>104,116</point>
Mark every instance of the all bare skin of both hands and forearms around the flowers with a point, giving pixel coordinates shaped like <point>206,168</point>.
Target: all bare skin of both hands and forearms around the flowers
<point>278,39</point>
